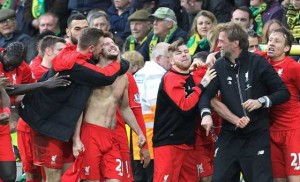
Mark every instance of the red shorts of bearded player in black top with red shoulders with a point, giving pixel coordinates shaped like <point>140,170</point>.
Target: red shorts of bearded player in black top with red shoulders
<point>174,163</point>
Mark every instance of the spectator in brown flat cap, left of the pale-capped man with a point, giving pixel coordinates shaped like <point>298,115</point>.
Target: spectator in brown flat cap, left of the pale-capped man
<point>140,26</point>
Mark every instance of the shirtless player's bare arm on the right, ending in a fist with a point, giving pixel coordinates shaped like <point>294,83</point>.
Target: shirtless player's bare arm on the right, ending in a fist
<point>129,117</point>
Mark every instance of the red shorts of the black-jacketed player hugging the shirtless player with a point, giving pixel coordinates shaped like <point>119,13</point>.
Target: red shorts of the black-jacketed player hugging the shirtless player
<point>50,152</point>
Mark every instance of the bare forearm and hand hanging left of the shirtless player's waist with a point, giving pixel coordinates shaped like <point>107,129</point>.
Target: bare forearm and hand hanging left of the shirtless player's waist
<point>77,144</point>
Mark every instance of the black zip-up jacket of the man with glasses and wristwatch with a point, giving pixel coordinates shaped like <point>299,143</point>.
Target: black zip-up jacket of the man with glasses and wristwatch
<point>256,78</point>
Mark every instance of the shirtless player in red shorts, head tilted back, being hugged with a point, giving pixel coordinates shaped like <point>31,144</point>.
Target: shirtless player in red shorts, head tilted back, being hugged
<point>102,159</point>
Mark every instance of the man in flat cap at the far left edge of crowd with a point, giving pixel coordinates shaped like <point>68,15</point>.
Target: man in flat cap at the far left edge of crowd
<point>8,29</point>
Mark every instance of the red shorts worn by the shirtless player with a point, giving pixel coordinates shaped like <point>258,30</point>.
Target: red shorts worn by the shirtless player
<point>102,158</point>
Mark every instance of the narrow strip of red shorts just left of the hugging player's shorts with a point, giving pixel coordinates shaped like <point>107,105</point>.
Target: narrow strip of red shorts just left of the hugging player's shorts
<point>25,149</point>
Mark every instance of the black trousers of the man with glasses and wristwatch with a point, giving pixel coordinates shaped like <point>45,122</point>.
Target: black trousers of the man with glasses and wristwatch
<point>247,154</point>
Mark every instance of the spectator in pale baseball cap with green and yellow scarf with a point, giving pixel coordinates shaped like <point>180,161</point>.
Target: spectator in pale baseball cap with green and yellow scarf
<point>165,29</point>
